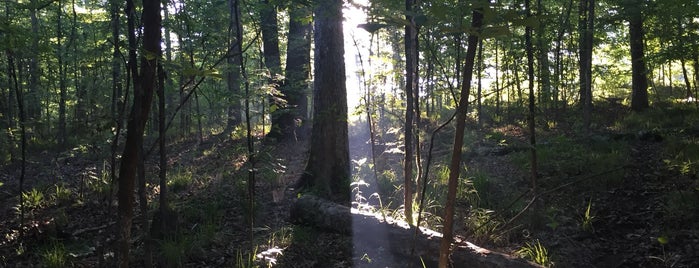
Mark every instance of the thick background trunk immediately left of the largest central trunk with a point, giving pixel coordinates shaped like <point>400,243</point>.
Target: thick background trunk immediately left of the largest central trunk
<point>298,67</point>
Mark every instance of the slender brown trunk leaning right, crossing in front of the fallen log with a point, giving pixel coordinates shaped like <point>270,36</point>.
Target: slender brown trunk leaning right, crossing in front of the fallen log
<point>455,164</point>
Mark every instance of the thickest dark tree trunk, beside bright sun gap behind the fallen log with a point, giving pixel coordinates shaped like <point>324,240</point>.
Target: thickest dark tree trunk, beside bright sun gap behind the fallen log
<point>328,169</point>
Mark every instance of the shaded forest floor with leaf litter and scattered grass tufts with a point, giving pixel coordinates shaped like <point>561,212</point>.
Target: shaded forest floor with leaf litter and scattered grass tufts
<point>636,212</point>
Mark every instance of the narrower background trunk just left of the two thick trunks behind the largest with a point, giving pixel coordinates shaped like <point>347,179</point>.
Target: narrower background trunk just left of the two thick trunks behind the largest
<point>234,60</point>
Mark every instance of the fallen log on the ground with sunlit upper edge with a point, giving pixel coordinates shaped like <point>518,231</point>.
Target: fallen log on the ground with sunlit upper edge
<point>370,231</point>
